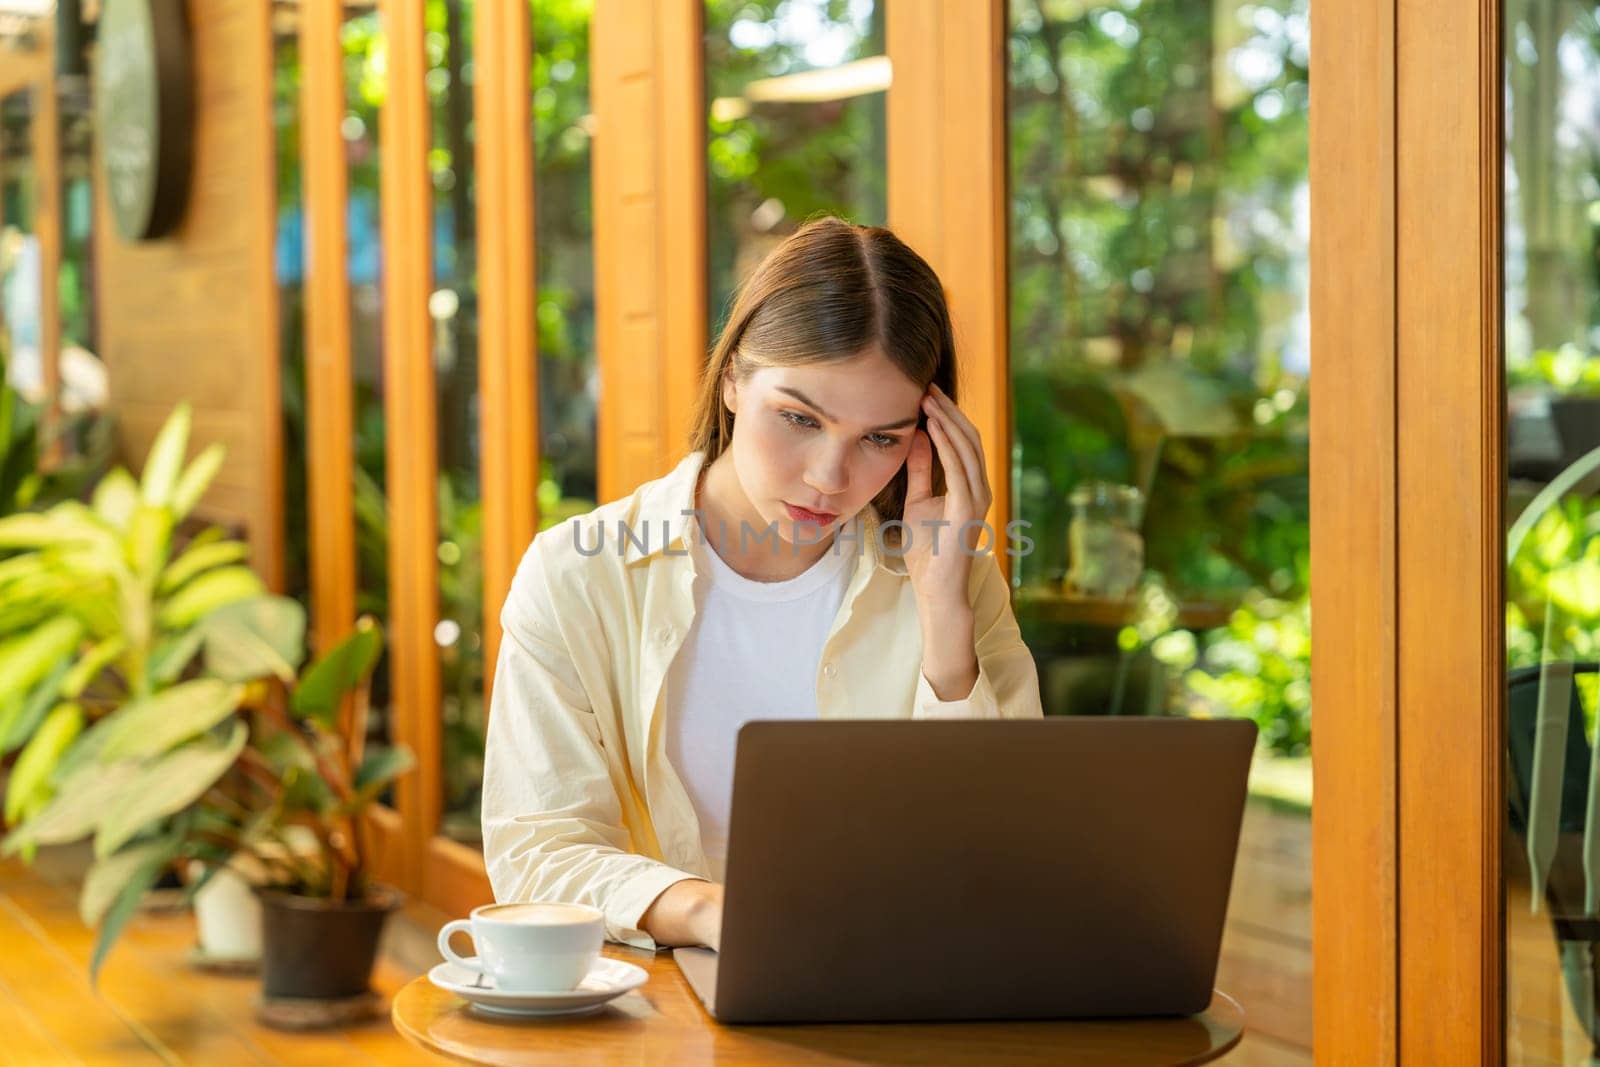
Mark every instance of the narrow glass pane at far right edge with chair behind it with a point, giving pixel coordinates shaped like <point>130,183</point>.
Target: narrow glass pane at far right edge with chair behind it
<point>1553,545</point>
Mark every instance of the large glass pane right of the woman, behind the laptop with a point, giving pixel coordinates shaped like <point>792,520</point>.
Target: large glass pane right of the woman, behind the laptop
<point>1161,383</point>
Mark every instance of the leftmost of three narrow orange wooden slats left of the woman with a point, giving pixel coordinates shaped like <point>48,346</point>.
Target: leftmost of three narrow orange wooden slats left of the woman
<point>330,393</point>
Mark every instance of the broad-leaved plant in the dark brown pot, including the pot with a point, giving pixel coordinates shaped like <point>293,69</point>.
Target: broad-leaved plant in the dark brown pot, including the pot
<point>249,762</point>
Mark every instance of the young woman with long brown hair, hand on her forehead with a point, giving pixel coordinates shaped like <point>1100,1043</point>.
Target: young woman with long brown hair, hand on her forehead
<point>818,554</point>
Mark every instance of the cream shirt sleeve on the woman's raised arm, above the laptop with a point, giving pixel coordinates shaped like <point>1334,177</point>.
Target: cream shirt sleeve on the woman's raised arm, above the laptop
<point>1007,677</point>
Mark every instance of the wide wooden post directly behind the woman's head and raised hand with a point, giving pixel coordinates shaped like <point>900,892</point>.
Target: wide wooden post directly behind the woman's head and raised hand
<point>948,196</point>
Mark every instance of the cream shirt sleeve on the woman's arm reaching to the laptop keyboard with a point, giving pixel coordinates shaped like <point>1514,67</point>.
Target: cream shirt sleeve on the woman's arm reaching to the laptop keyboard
<point>553,825</point>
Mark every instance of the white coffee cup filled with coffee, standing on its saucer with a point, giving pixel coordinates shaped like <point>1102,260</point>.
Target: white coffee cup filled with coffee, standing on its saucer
<point>530,948</point>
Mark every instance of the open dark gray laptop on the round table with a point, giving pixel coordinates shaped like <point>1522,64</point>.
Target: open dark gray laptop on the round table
<point>916,871</point>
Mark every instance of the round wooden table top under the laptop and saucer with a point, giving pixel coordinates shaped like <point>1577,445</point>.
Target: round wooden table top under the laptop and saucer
<point>663,1021</point>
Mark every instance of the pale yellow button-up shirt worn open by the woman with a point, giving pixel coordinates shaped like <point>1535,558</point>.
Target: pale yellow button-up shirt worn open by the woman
<point>580,802</point>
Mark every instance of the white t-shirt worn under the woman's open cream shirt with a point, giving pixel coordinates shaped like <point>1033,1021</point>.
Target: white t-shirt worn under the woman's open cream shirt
<point>753,653</point>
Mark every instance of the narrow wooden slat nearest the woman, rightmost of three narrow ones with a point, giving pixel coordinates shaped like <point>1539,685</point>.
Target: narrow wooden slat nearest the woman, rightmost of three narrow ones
<point>508,340</point>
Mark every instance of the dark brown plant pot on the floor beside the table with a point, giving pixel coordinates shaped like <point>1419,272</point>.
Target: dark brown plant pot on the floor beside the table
<point>319,949</point>
